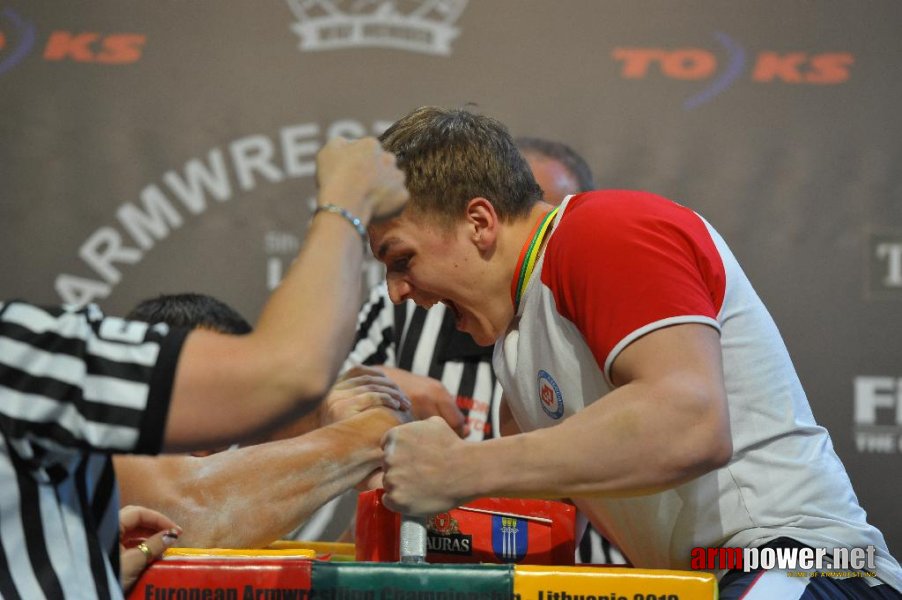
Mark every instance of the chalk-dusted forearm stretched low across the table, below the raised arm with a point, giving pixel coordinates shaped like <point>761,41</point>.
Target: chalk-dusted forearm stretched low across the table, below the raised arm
<point>252,496</point>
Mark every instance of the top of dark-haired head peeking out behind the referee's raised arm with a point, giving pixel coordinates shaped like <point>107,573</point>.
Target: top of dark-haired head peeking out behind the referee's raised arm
<point>190,311</point>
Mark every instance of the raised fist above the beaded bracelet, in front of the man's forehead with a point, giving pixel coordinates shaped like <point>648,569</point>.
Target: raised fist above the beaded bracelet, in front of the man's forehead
<point>362,177</point>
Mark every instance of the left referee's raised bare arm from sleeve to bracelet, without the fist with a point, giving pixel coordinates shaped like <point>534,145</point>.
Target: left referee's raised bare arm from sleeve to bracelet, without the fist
<point>287,364</point>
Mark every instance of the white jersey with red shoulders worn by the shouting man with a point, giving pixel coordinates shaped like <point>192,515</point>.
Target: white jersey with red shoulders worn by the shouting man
<point>619,265</point>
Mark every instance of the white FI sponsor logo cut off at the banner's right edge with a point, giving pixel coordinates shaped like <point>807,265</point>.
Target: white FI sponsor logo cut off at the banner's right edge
<point>878,414</point>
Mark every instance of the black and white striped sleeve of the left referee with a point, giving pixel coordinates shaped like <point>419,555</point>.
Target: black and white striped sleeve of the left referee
<point>78,380</point>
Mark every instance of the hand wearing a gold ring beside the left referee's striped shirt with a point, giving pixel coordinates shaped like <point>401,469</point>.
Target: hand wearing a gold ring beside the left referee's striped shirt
<point>144,535</point>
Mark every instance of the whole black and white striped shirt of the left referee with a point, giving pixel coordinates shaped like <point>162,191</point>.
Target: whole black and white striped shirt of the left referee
<point>74,387</point>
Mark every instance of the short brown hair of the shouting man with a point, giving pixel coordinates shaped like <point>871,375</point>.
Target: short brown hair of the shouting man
<point>450,156</point>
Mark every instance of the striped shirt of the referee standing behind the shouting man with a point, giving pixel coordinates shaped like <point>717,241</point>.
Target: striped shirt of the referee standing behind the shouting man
<point>426,342</point>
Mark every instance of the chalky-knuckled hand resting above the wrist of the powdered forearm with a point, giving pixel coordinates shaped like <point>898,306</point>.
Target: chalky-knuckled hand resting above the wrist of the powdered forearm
<point>359,389</point>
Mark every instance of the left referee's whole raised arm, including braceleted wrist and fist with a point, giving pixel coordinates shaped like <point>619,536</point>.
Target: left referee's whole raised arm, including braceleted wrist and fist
<point>288,363</point>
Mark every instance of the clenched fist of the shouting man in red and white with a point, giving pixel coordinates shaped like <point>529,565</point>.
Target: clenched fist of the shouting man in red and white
<point>415,474</point>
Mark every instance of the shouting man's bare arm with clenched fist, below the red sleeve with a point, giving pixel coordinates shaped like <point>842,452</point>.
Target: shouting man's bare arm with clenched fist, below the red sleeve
<point>665,424</point>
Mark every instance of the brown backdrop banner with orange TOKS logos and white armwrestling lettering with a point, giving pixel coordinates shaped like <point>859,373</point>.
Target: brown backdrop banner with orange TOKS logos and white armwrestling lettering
<point>169,147</point>
